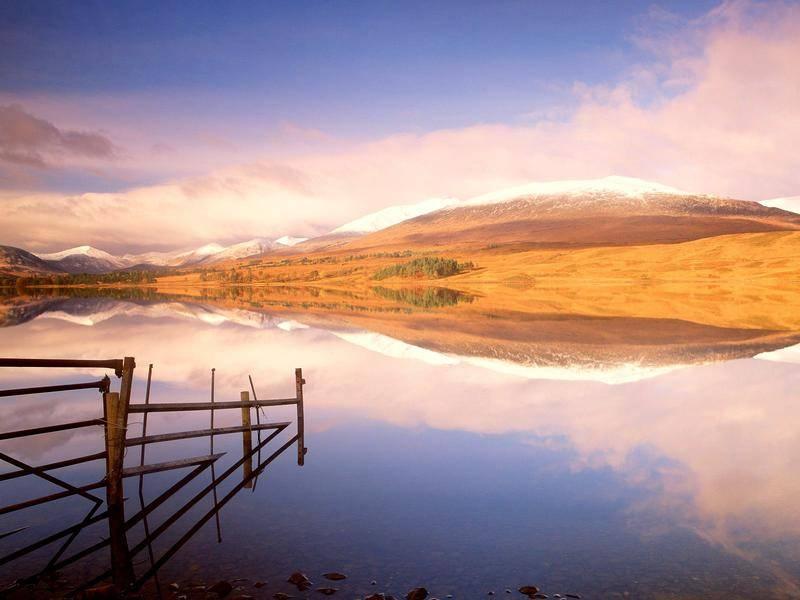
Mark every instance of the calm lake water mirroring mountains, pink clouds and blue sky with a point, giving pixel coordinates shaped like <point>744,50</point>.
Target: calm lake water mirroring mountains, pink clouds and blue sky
<point>647,468</point>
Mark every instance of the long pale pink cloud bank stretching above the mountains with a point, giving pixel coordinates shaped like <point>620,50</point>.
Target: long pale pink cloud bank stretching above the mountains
<point>714,110</point>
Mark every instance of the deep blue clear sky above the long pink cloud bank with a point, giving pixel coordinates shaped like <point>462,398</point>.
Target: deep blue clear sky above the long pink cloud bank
<point>349,68</point>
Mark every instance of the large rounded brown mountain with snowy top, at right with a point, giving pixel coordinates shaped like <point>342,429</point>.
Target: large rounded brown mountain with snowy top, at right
<point>604,212</point>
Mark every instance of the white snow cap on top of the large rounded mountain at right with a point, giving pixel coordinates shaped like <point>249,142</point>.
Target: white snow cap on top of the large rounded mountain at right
<point>617,184</point>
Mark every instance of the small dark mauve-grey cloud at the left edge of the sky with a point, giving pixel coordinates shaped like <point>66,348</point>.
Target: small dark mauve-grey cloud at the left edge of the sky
<point>28,140</point>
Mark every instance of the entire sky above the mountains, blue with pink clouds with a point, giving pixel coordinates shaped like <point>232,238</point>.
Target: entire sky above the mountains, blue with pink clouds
<point>135,126</point>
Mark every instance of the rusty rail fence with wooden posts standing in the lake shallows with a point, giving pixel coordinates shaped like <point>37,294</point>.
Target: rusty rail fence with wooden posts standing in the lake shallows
<point>117,407</point>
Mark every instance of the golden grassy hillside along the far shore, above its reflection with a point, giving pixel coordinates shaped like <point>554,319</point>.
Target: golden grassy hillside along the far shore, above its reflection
<point>752,257</point>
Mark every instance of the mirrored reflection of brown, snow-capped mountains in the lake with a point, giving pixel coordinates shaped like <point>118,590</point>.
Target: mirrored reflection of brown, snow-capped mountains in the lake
<point>530,344</point>
